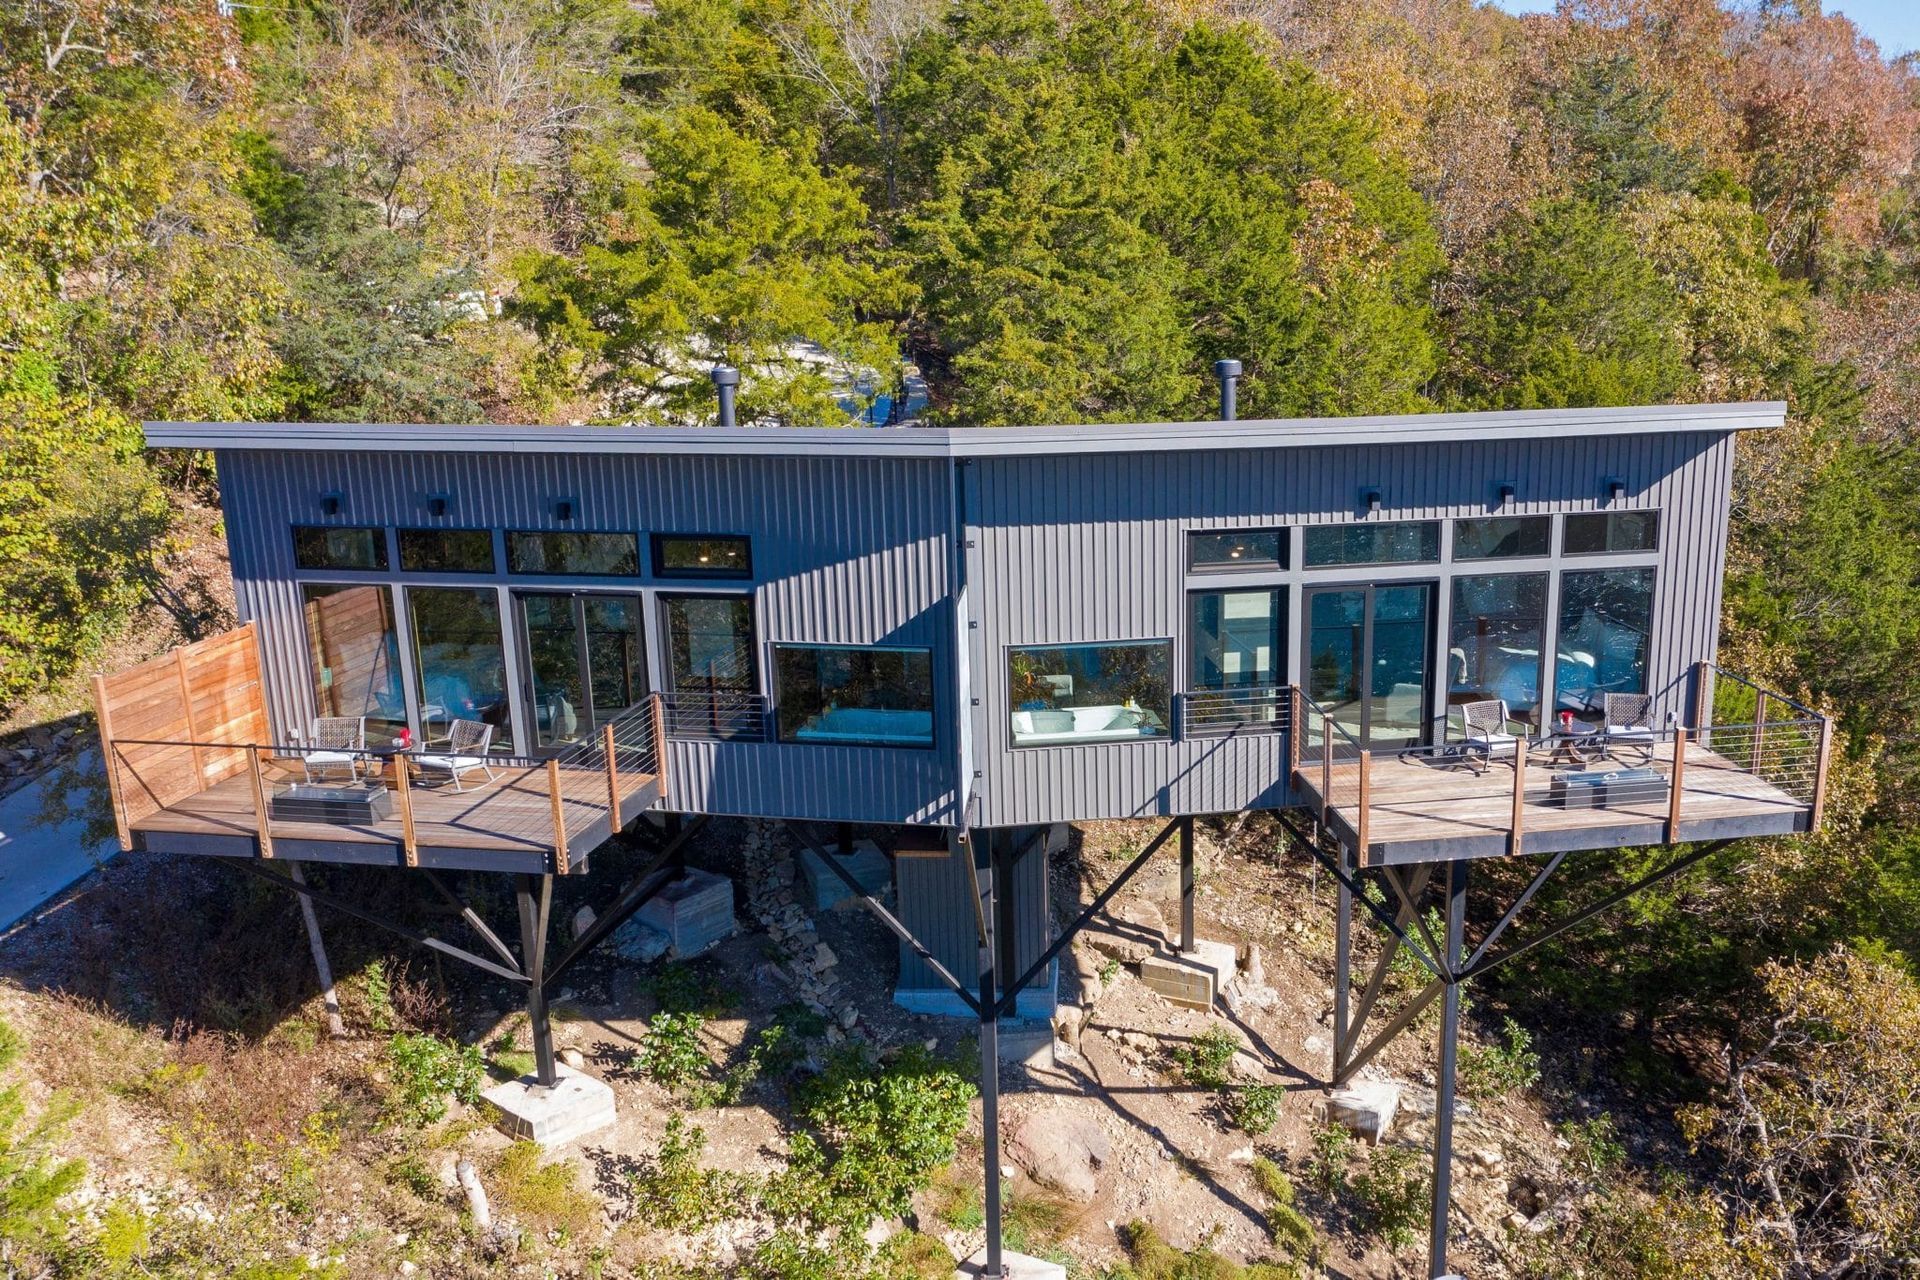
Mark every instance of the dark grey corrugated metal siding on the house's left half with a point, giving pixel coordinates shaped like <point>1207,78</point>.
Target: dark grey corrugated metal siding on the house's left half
<point>844,550</point>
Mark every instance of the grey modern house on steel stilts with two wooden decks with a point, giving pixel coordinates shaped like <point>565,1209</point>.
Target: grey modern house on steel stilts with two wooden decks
<point>1422,640</point>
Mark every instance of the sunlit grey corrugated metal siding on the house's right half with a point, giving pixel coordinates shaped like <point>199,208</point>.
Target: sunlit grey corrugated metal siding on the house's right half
<point>1074,550</point>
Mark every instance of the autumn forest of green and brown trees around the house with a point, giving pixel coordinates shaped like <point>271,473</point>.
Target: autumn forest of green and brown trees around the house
<point>567,210</point>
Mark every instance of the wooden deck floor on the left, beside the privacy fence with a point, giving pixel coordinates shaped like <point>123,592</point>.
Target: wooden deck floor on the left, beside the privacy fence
<point>500,826</point>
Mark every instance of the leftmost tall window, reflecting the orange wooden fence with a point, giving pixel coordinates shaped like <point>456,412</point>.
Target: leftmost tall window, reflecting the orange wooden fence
<point>354,655</point>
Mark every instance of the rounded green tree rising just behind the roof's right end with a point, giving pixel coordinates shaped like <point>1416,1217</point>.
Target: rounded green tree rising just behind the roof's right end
<point>1568,312</point>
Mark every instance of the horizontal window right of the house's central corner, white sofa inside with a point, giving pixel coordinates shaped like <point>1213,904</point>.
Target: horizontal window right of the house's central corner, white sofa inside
<point>1092,694</point>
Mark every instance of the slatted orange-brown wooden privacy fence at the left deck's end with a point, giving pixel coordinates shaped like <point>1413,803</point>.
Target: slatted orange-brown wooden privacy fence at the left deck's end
<point>180,724</point>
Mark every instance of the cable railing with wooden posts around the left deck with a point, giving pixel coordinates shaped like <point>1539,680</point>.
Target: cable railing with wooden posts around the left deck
<point>487,801</point>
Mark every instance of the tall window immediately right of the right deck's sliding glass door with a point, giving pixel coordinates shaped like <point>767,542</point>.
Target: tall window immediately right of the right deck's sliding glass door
<point>1497,642</point>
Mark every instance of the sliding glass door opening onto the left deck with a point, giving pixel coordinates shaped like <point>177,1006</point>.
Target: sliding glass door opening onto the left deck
<point>585,663</point>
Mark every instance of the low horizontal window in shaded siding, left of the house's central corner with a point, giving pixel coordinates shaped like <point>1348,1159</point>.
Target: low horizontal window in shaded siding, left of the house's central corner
<point>836,694</point>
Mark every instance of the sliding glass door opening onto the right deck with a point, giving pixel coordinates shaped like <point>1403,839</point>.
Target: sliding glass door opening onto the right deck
<point>1368,657</point>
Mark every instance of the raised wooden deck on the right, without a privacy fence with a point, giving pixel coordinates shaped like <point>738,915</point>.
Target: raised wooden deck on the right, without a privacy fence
<point>1428,807</point>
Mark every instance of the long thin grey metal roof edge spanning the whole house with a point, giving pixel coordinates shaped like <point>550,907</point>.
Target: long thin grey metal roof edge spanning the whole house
<point>907,442</point>
